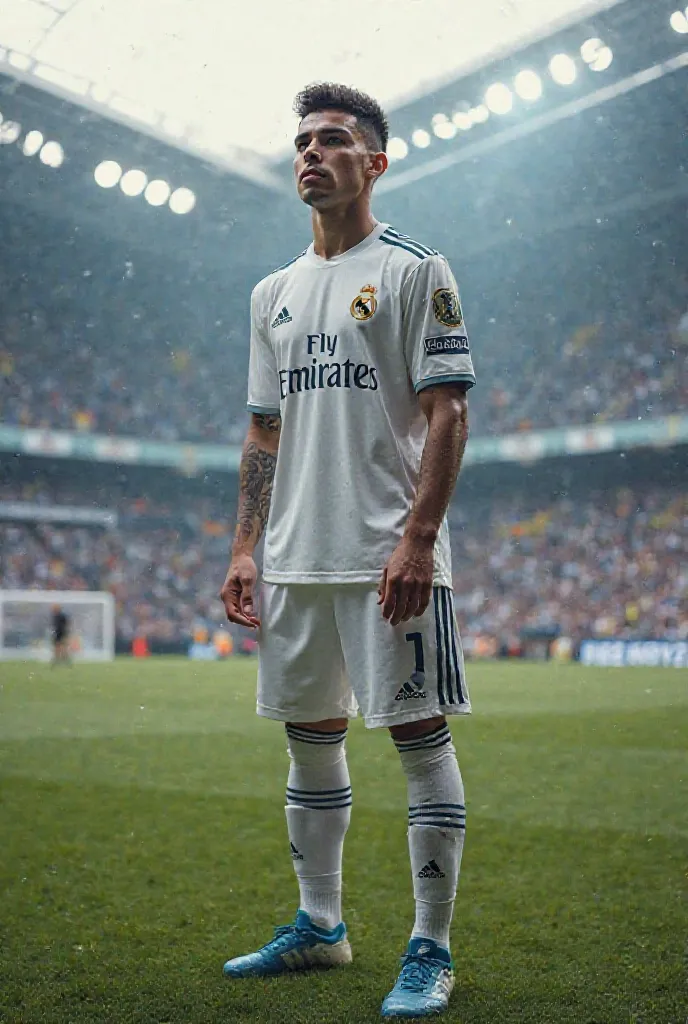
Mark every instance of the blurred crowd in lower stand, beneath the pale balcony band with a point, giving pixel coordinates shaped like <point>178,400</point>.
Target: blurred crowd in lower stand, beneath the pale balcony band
<point>608,566</point>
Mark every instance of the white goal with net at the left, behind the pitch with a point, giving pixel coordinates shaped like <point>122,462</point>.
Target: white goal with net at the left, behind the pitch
<point>26,624</point>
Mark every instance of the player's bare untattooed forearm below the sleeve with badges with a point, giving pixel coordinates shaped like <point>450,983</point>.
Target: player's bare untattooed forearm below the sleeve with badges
<point>441,464</point>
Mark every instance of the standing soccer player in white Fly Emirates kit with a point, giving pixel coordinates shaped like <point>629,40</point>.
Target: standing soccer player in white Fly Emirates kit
<point>359,371</point>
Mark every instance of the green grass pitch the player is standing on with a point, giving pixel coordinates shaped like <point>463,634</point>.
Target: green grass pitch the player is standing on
<point>143,841</point>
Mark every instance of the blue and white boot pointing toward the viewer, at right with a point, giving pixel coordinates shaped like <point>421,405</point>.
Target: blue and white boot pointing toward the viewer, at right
<point>425,984</point>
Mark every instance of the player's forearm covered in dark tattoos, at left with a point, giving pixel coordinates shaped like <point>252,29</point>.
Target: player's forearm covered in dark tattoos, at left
<point>256,476</point>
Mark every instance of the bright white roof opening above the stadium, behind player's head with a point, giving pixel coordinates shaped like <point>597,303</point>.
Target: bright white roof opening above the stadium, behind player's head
<point>219,79</point>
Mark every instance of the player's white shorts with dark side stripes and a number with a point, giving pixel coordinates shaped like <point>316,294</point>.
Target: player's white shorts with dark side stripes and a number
<point>325,652</point>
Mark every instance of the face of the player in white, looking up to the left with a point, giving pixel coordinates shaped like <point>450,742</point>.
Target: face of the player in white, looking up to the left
<point>332,164</point>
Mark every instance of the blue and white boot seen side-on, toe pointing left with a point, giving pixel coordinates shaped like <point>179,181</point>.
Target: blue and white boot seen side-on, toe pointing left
<point>294,948</point>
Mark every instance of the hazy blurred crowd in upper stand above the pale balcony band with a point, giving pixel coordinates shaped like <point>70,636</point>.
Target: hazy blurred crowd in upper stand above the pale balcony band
<point>142,375</point>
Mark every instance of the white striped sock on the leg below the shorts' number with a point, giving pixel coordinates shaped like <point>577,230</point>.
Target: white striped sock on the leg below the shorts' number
<point>437,829</point>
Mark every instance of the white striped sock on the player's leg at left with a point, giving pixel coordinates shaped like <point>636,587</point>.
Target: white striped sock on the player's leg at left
<point>319,809</point>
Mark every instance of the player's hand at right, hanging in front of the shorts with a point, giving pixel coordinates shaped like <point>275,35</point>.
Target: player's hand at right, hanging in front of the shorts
<point>406,587</point>
